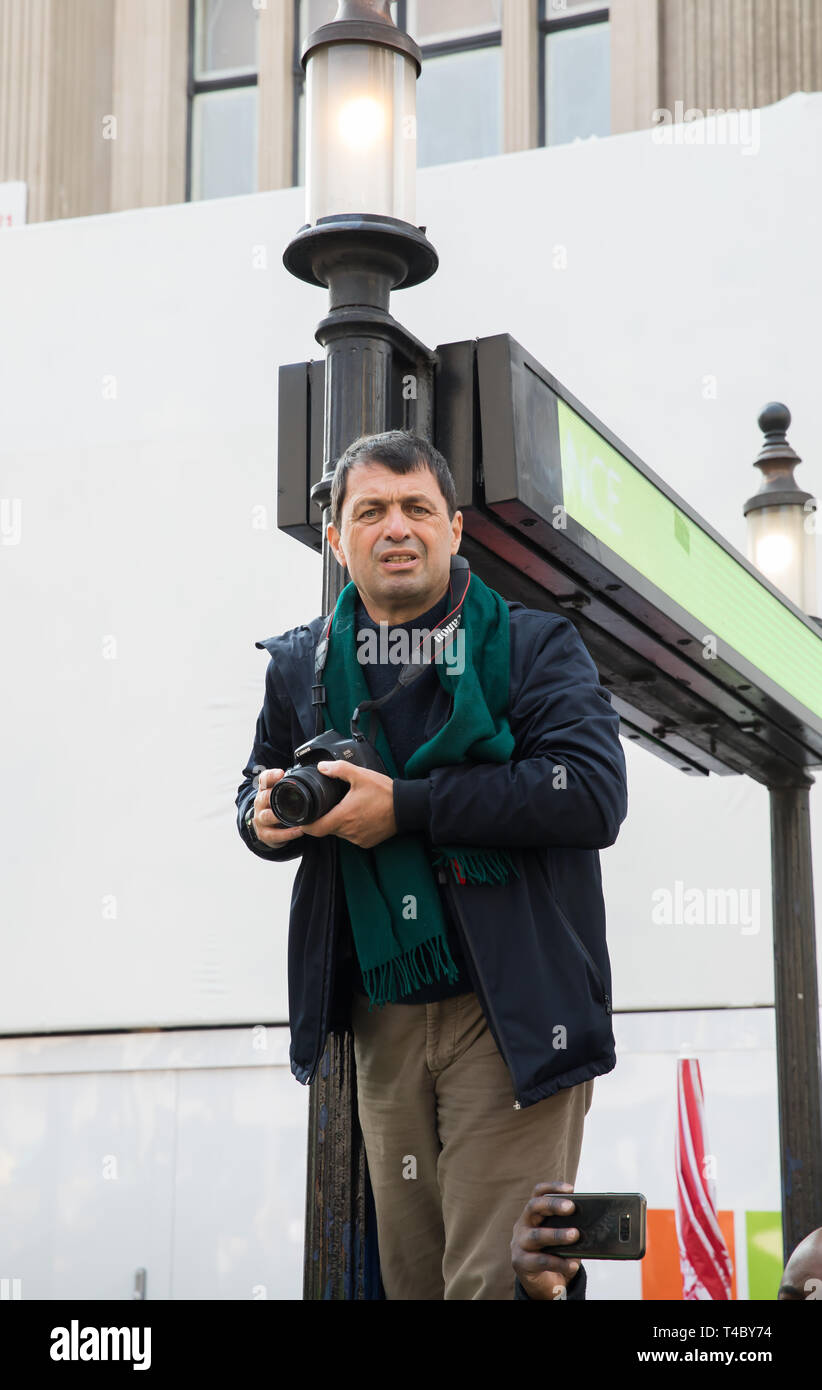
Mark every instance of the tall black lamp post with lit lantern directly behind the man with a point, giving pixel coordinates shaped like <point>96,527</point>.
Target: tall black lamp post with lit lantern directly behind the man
<point>361,243</point>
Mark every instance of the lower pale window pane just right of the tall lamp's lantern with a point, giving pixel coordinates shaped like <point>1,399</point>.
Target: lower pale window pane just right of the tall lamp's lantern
<point>460,108</point>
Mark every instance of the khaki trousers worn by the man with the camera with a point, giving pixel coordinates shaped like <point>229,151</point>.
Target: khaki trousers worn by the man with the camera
<point>451,1163</point>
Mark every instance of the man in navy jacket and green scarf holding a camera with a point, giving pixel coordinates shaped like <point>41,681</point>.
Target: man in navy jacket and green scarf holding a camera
<point>449,904</point>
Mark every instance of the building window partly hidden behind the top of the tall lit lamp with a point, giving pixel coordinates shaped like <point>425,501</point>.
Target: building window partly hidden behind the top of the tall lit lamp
<point>460,92</point>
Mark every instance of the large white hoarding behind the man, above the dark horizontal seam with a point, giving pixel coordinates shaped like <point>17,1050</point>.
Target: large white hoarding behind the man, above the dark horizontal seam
<point>138,375</point>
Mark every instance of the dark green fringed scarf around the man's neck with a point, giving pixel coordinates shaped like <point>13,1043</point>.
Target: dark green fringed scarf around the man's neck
<point>392,892</point>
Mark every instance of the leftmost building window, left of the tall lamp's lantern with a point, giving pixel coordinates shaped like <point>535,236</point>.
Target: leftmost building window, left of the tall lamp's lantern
<point>223,99</point>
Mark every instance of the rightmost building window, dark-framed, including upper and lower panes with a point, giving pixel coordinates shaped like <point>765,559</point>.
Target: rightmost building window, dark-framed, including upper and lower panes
<point>575,72</point>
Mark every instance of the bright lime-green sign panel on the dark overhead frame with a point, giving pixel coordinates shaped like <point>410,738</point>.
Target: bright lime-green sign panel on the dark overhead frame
<point>627,512</point>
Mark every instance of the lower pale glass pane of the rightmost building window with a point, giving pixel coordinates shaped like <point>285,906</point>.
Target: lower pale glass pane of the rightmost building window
<point>578,84</point>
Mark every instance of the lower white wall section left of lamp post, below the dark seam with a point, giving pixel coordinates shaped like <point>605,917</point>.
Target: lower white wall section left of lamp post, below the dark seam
<point>182,1154</point>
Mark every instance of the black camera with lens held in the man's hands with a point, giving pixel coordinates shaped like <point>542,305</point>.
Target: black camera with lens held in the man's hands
<point>304,794</point>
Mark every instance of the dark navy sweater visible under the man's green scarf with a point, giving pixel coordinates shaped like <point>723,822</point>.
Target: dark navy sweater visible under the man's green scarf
<point>403,719</point>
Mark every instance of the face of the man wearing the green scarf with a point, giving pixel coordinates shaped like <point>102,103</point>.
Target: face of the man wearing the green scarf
<point>396,540</point>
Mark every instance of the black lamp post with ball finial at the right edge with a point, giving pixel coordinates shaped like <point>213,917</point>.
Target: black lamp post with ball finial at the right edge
<point>782,546</point>
